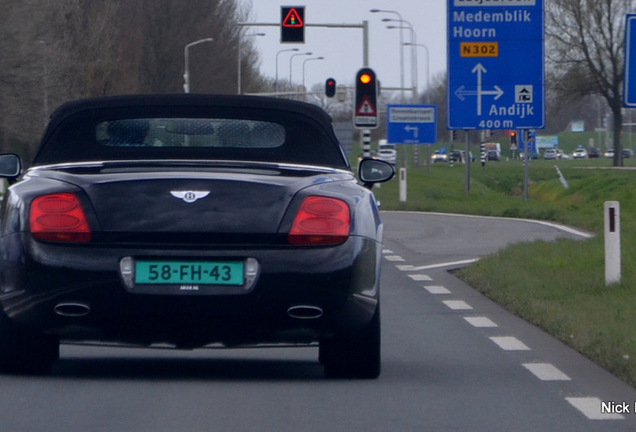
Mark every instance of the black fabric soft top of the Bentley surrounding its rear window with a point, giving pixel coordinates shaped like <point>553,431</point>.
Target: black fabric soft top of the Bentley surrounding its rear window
<point>70,134</point>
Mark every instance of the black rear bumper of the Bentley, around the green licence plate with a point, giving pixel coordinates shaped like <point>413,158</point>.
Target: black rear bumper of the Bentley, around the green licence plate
<point>336,289</point>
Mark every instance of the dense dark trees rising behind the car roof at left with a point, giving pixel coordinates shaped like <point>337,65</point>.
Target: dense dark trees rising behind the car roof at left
<point>57,51</point>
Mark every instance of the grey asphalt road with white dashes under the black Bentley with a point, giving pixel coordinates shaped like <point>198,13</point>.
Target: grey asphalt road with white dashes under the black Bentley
<point>452,361</point>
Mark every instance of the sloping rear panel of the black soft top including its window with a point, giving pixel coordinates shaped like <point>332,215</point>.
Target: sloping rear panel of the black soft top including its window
<point>191,133</point>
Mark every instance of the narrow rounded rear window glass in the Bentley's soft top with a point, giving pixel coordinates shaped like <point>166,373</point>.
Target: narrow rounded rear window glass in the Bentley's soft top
<point>190,132</point>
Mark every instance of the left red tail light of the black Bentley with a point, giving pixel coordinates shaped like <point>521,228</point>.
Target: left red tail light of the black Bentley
<point>60,218</point>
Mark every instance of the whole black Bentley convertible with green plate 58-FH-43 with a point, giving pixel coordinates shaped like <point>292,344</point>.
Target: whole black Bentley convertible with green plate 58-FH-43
<point>190,220</point>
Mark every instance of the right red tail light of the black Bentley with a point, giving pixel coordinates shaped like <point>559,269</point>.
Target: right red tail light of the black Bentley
<point>321,221</point>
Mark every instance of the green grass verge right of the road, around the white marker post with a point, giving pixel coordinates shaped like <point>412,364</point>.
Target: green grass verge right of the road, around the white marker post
<point>560,285</point>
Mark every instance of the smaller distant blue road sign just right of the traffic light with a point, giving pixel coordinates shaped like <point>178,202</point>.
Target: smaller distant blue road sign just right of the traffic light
<point>412,124</point>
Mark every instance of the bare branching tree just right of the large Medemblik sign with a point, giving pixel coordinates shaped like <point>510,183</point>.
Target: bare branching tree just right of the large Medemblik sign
<point>586,53</point>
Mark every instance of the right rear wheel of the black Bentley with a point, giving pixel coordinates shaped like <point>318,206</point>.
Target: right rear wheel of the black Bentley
<point>356,356</point>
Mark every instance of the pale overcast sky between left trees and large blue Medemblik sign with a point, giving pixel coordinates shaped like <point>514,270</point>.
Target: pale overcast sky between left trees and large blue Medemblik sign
<point>342,48</point>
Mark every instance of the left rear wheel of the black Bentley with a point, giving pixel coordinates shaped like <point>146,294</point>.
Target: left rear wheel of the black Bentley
<point>26,352</point>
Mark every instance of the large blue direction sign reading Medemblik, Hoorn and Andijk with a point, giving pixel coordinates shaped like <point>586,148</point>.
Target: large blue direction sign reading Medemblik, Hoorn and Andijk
<point>496,73</point>
